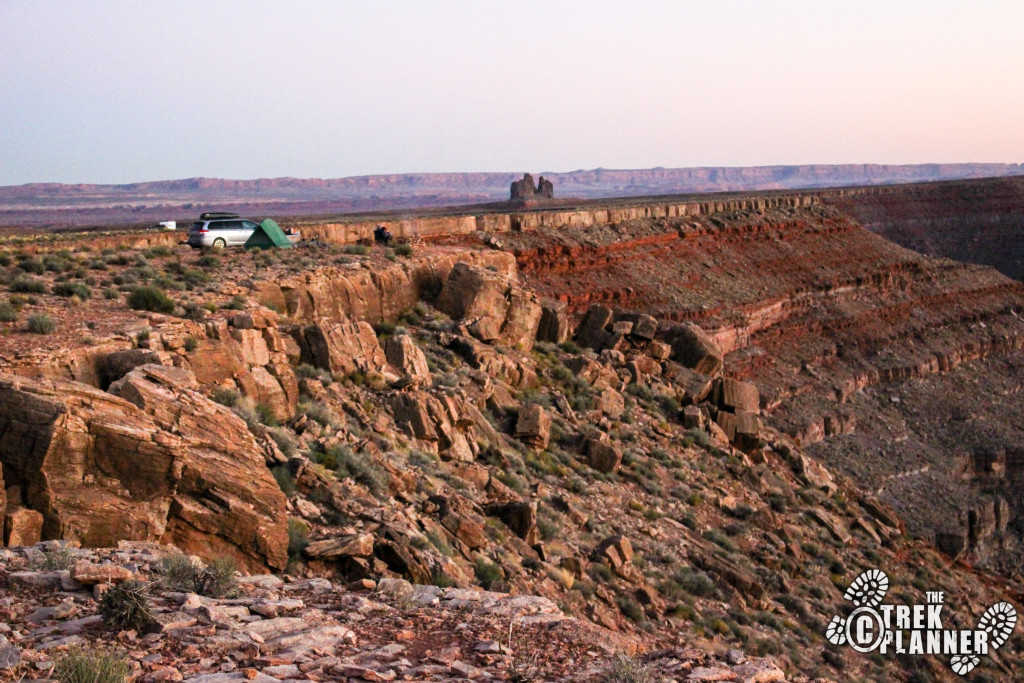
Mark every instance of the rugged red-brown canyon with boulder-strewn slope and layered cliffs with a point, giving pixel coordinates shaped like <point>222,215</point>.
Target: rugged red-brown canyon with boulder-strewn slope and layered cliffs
<point>687,421</point>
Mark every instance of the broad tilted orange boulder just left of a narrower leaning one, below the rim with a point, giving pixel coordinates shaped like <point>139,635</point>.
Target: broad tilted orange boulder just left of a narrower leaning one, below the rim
<point>344,348</point>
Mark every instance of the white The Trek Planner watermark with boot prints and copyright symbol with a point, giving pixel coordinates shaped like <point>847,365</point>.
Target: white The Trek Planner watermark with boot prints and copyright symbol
<point>916,629</point>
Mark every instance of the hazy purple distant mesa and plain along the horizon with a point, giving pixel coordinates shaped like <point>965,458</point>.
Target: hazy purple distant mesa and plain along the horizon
<point>57,205</point>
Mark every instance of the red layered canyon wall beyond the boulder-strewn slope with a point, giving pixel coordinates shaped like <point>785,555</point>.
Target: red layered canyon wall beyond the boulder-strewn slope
<point>828,320</point>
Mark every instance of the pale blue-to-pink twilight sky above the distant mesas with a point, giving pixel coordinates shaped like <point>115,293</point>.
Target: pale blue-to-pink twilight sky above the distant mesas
<point>111,93</point>
